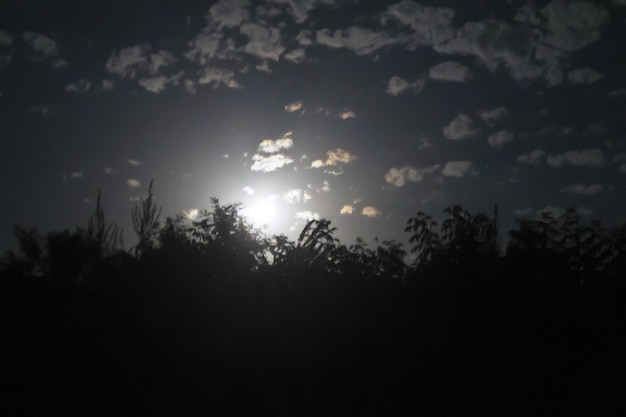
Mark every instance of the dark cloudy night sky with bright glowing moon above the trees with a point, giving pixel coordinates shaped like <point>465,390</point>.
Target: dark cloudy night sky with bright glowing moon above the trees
<point>358,111</point>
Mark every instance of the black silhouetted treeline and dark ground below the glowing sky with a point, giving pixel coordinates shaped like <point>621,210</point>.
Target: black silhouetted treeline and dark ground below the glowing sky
<point>212,317</point>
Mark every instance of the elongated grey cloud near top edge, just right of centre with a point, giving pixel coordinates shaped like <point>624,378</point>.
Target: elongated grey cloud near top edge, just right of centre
<point>361,41</point>
